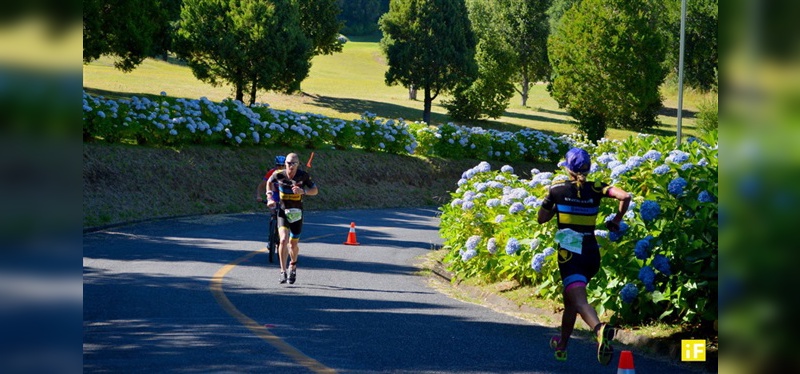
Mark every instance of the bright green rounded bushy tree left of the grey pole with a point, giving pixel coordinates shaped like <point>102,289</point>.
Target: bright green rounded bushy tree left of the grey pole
<point>607,65</point>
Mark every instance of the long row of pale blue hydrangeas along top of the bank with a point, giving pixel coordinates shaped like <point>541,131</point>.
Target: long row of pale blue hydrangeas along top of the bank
<point>171,121</point>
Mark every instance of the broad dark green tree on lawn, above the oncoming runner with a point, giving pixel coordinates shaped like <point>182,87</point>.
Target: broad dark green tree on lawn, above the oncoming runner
<point>253,44</point>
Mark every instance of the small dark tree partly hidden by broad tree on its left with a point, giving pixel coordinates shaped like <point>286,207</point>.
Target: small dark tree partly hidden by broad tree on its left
<point>318,19</point>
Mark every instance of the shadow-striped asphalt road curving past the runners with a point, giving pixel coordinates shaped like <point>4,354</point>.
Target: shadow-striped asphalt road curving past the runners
<point>198,295</point>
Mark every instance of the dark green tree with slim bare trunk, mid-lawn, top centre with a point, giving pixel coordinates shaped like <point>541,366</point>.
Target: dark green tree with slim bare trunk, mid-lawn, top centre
<point>429,44</point>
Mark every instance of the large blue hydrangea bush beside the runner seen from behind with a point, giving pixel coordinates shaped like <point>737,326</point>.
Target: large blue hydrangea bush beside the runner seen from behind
<point>662,265</point>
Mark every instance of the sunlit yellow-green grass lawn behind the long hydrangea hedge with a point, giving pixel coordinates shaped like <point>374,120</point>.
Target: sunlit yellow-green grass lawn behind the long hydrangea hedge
<point>346,84</point>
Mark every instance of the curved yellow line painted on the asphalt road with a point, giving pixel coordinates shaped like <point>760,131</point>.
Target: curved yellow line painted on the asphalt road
<point>260,331</point>
